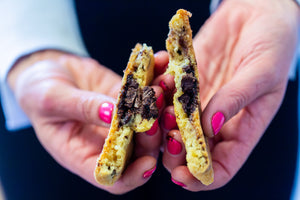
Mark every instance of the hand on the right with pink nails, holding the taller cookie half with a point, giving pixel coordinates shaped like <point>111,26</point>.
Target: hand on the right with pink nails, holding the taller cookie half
<point>244,52</point>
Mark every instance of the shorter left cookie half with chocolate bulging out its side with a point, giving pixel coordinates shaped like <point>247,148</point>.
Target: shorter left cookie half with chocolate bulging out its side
<point>135,111</point>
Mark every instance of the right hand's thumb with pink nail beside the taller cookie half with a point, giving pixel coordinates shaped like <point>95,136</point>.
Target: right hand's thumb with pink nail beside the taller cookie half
<point>246,86</point>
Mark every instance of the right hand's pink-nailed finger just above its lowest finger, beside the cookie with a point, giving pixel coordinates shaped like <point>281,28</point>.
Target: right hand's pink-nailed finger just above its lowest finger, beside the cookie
<point>174,153</point>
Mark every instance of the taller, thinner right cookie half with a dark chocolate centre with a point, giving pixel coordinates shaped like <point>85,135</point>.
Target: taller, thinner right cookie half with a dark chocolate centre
<point>182,64</point>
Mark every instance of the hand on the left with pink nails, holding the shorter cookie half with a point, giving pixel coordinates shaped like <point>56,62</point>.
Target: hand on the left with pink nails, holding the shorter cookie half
<point>62,94</point>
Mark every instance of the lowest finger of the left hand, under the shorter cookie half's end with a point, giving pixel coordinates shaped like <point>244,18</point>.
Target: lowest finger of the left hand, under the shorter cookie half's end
<point>136,174</point>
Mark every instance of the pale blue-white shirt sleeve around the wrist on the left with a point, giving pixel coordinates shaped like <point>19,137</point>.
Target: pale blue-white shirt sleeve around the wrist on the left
<point>33,26</point>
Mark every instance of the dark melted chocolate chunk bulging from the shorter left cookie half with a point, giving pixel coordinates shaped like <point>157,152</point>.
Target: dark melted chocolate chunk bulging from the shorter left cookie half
<point>136,100</point>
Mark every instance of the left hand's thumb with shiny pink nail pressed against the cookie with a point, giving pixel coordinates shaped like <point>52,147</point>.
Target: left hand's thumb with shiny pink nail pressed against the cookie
<point>69,103</point>
